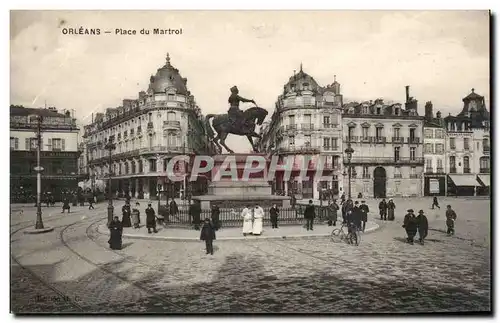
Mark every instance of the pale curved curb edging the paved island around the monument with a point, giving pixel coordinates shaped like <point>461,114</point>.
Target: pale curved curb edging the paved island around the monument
<point>248,238</point>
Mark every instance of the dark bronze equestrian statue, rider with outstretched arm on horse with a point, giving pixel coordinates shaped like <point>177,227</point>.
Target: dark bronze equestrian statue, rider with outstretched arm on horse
<point>237,122</point>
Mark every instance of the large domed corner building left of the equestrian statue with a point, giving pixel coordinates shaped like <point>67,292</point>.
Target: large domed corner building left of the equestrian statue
<point>147,132</point>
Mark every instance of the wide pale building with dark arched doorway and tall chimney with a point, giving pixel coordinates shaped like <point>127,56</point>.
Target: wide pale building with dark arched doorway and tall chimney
<point>387,142</point>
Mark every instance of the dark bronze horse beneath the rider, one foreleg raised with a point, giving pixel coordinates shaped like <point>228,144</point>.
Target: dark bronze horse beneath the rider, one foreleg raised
<point>223,125</point>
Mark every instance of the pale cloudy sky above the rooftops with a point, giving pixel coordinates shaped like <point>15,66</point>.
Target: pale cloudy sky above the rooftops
<point>442,55</point>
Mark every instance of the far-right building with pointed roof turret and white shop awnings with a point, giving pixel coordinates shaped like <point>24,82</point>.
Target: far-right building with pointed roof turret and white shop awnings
<point>468,148</point>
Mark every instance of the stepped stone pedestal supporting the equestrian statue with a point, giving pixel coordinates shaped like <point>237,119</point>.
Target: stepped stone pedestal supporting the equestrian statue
<point>238,192</point>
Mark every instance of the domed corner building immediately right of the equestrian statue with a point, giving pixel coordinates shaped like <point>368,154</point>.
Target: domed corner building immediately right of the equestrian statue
<point>306,122</point>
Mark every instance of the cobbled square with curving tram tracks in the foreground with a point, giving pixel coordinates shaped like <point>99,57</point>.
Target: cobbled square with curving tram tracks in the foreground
<point>73,270</point>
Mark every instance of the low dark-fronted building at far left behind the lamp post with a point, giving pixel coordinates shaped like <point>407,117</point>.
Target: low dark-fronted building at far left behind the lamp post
<point>59,152</point>
